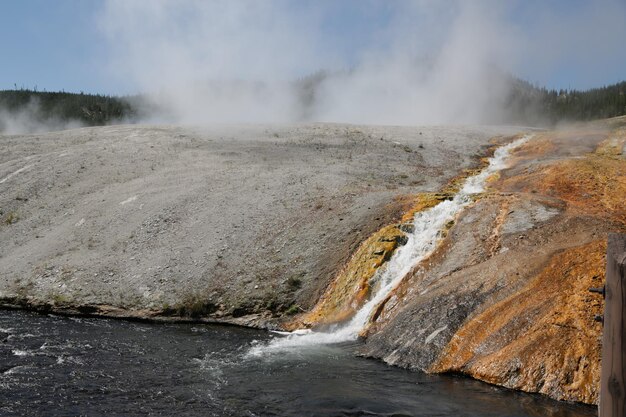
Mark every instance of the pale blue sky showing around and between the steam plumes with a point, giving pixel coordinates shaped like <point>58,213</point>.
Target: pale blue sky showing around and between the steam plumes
<point>69,45</point>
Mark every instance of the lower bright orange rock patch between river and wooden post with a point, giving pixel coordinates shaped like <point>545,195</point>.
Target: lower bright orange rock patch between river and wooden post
<point>544,337</point>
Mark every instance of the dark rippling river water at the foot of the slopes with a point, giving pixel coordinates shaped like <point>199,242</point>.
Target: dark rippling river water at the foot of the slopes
<point>61,366</point>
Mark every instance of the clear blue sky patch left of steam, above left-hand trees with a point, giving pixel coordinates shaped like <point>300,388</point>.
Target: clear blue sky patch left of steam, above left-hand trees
<point>51,45</point>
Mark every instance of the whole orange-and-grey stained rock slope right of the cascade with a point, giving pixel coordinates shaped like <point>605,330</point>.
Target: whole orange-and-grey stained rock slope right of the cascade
<point>505,297</point>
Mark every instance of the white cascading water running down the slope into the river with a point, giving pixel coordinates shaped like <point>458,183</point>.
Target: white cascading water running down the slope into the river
<point>428,228</point>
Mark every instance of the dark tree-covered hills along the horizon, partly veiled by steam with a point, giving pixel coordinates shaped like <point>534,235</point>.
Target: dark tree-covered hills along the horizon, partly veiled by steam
<point>24,110</point>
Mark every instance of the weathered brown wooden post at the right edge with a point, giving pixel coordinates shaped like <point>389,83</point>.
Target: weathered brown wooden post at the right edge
<point>613,374</point>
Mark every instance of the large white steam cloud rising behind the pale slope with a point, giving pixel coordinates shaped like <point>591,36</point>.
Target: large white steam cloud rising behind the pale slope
<point>427,62</point>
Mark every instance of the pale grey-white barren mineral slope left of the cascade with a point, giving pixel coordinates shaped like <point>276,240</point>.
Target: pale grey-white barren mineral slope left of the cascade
<point>248,220</point>
